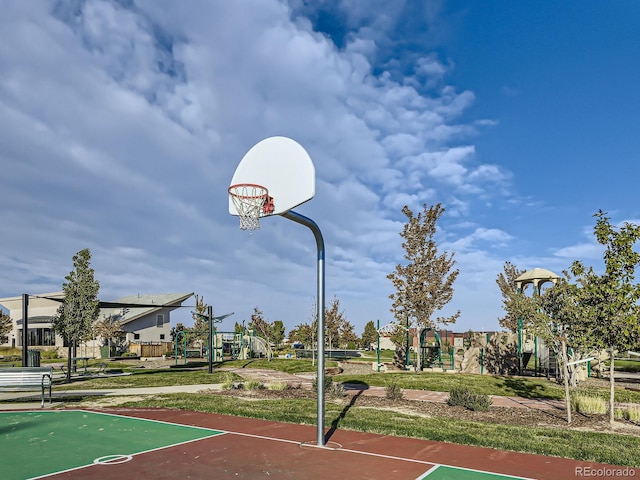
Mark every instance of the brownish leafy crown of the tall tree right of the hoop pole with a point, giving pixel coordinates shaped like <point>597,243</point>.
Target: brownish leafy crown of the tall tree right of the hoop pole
<point>424,284</point>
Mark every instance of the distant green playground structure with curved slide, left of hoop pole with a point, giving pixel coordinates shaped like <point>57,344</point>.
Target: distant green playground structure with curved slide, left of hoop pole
<point>226,346</point>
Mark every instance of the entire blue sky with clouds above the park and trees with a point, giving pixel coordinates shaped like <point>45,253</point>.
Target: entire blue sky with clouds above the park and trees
<point>121,124</point>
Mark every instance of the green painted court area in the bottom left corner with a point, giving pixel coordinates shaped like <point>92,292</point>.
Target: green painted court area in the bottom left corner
<point>40,443</point>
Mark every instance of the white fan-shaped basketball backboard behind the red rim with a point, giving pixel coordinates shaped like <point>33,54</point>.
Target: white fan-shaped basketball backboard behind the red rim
<point>283,167</point>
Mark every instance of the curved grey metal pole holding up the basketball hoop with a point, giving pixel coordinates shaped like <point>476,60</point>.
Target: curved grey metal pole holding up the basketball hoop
<point>301,219</point>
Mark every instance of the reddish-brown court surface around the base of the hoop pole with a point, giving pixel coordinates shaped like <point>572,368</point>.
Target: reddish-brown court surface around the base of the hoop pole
<point>255,449</point>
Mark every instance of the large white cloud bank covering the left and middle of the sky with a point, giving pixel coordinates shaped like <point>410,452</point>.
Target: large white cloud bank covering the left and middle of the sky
<point>121,128</point>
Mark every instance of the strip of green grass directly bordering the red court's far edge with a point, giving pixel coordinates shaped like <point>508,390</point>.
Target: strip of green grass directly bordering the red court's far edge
<point>589,446</point>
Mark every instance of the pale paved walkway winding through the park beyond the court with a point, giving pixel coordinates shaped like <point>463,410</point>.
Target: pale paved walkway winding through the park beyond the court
<point>268,376</point>
